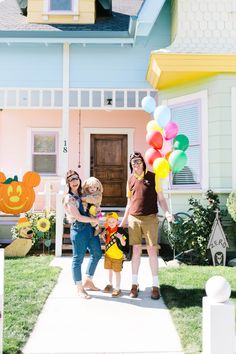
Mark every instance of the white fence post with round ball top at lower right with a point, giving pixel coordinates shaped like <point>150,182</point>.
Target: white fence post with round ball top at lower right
<point>218,318</point>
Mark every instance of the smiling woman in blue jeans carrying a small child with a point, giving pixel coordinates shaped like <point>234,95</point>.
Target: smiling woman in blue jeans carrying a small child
<point>82,235</point>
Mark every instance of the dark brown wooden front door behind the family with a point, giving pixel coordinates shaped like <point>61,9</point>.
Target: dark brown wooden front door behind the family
<point>109,165</point>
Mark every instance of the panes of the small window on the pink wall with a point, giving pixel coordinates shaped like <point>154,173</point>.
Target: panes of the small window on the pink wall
<point>45,152</point>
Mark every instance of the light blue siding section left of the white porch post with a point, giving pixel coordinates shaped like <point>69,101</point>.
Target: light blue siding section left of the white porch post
<point>30,65</point>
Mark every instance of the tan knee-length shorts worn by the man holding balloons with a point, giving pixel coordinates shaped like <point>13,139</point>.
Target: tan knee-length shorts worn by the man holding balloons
<point>143,226</point>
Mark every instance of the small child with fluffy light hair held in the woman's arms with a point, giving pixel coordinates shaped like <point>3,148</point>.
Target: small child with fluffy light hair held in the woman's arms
<point>92,197</point>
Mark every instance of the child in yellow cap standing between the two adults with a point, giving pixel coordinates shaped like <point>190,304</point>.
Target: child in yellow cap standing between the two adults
<point>114,239</point>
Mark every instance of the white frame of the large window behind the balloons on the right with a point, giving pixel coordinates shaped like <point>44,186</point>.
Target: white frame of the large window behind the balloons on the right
<point>202,96</point>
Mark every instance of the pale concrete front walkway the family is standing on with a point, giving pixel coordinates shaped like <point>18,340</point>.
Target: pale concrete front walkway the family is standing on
<point>69,325</point>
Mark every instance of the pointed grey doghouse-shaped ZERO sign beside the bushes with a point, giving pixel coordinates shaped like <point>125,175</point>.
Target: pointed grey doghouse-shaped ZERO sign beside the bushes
<point>218,243</point>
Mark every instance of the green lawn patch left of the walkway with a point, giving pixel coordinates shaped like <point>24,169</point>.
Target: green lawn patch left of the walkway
<point>28,282</point>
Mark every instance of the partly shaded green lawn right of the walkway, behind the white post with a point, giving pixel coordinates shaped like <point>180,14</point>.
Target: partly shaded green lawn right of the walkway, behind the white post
<point>182,290</point>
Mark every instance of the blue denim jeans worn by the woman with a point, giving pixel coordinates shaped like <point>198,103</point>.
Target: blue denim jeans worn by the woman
<point>83,239</point>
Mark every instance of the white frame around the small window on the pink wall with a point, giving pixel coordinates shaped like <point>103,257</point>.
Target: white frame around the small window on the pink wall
<point>30,133</point>
